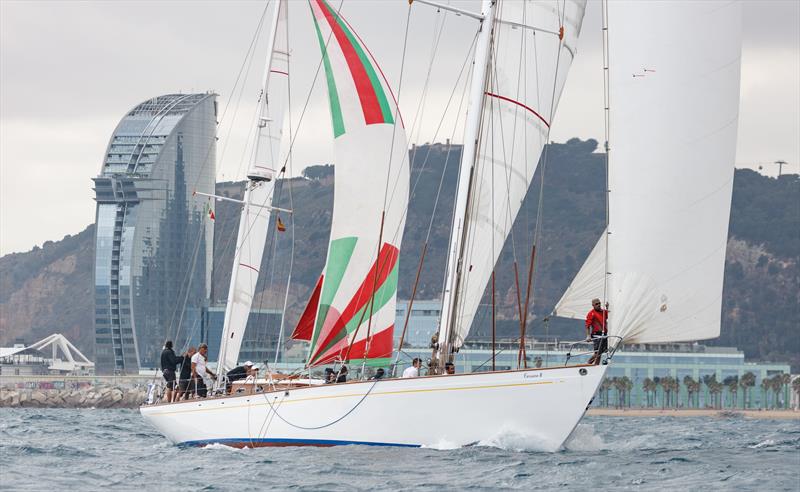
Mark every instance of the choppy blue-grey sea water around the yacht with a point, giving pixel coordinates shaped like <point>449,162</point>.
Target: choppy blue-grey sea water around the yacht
<point>59,449</point>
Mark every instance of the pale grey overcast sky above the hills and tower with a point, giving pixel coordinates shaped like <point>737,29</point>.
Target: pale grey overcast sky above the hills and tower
<point>70,70</point>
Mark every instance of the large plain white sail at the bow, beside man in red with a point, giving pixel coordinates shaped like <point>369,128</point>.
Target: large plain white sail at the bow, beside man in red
<point>674,91</point>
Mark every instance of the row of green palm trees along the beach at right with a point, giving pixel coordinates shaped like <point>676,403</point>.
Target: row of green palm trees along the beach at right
<point>774,391</point>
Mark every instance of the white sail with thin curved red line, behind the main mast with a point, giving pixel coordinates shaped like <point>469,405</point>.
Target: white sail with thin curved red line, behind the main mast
<point>533,47</point>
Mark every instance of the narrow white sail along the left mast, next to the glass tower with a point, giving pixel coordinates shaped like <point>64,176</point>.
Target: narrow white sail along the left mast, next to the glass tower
<point>263,171</point>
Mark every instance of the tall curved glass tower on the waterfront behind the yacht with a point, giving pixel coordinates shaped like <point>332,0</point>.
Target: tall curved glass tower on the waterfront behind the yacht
<point>154,239</point>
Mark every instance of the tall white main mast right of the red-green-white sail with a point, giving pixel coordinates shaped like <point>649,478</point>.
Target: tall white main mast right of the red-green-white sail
<point>458,233</point>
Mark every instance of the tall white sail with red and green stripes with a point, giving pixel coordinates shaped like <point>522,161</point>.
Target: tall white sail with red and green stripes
<point>356,312</point>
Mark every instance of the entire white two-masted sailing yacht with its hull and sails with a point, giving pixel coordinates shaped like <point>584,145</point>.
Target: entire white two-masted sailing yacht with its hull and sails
<point>673,88</point>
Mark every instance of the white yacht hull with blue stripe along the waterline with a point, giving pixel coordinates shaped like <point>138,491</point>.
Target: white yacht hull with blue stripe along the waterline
<point>543,404</point>
